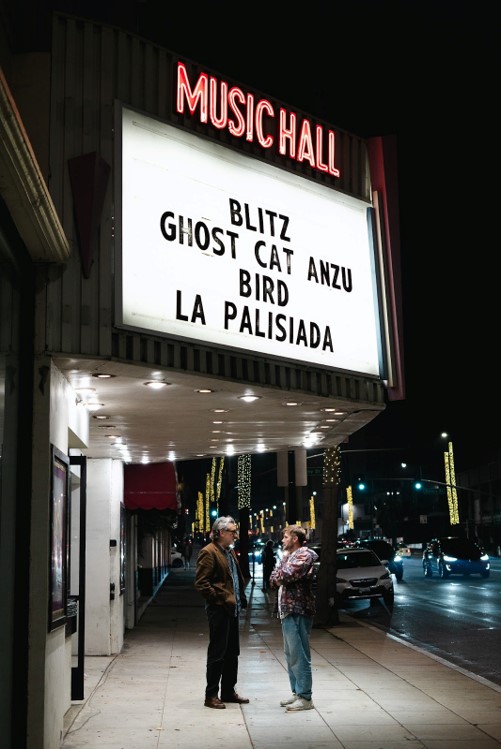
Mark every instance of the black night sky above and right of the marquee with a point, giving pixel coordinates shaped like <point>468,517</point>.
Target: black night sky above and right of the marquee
<point>427,72</point>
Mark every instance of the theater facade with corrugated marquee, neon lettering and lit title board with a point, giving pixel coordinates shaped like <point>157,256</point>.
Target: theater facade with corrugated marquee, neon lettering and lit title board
<point>161,220</point>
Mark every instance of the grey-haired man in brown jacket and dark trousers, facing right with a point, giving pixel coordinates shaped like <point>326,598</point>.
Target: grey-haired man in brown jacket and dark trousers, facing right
<point>219,579</point>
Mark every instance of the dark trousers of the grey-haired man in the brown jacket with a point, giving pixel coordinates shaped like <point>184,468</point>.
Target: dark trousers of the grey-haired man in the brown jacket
<point>222,653</point>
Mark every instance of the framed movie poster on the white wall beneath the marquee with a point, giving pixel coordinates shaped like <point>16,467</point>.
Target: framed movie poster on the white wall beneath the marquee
<point>58,560</point>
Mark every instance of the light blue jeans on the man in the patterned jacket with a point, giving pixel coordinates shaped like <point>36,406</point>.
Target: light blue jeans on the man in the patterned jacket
<point>296,631</point>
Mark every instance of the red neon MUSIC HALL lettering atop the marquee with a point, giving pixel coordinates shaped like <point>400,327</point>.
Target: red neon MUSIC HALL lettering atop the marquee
<point>241,115</point>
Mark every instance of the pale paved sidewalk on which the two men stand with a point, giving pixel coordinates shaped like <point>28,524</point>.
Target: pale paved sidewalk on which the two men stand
<point>370,690</point>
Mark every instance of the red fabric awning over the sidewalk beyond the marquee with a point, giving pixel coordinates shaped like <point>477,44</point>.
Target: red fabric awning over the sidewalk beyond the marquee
<point>152,486</point>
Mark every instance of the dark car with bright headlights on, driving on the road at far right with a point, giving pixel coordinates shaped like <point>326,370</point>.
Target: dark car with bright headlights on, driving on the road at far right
<point>455,556</point>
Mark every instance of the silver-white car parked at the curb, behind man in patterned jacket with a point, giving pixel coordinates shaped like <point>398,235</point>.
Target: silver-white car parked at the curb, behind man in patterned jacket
<point>362,575</point>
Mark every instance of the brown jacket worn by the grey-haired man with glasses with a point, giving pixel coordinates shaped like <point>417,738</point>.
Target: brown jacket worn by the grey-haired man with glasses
<point>213,578</point>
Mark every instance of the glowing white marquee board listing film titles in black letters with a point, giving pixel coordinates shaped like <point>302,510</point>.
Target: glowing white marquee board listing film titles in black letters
<point>227,250</point>
